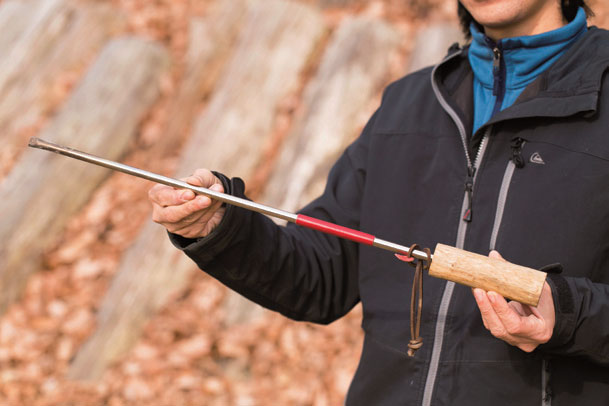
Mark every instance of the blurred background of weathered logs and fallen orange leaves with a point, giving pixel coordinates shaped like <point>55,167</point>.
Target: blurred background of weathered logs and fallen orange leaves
<point>97,307</point>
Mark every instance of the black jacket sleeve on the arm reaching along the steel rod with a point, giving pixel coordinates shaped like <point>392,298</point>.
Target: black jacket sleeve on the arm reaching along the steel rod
<point>301,273</point>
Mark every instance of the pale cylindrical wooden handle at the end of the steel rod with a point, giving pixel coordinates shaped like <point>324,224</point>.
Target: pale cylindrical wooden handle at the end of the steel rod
<point>511,281</point>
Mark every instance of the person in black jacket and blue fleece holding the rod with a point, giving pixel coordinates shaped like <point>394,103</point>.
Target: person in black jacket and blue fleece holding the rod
<point>501,147</point>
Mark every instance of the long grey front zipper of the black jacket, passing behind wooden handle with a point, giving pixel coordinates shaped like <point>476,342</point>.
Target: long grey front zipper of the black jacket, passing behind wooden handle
<point>466,211</point>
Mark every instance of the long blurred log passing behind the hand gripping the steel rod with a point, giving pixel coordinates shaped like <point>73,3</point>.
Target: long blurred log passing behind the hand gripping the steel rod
<point>272,50</point>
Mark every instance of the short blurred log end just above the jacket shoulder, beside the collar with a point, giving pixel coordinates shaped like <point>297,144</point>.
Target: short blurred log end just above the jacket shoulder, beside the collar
<point>432,43</point>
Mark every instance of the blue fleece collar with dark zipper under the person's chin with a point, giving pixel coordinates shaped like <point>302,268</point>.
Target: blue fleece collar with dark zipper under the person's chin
<point>504,68</point>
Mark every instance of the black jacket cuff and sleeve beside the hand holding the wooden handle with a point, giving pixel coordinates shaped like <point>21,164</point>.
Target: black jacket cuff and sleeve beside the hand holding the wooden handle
<point>582,319</point>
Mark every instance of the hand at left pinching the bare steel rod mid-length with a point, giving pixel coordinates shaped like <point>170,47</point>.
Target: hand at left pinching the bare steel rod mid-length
<point>185,213</point>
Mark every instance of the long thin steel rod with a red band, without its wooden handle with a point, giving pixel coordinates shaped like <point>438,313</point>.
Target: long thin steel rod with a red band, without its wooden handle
<point>299,219</point>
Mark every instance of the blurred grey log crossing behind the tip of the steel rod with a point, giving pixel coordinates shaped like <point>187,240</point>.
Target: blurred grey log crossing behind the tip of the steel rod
<point>43,190</point>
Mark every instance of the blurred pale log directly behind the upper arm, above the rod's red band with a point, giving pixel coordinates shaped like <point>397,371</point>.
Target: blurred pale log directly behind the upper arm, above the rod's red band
<point>337,103</point>
